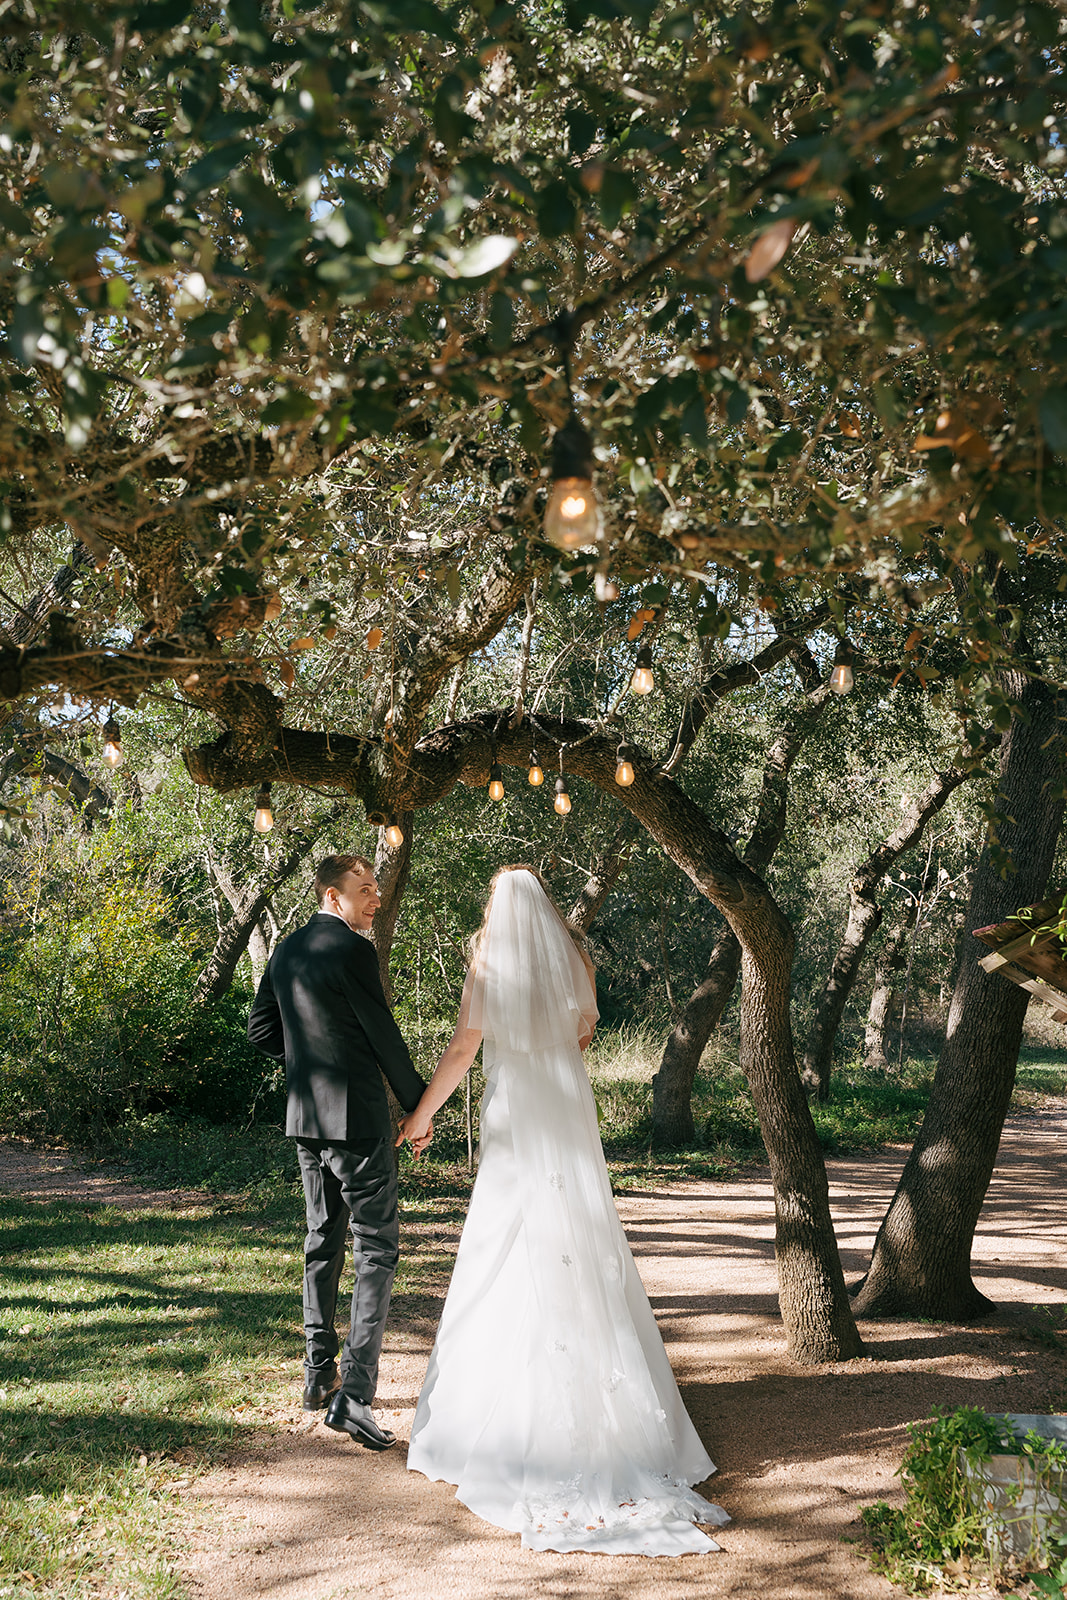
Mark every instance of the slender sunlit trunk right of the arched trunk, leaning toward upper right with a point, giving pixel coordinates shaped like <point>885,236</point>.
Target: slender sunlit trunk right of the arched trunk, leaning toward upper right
<point>865,916</point>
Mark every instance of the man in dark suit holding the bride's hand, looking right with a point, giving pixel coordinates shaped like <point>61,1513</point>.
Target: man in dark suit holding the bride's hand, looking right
<point>322,1009</point>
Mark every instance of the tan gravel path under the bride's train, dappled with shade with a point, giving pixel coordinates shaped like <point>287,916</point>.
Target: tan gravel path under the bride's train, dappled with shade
<point>801,1452</point>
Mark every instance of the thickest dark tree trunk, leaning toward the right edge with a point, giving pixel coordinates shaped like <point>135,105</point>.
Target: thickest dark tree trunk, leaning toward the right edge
<point>922,1257</point>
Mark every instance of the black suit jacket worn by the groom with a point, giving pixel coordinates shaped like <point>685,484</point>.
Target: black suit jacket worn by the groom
<point>322,1010</point>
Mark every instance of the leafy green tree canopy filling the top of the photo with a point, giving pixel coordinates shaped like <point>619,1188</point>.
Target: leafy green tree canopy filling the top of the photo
<point>297,298</point>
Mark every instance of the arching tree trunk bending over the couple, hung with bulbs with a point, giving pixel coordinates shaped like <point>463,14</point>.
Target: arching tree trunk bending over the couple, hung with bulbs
<point>820,1321</point>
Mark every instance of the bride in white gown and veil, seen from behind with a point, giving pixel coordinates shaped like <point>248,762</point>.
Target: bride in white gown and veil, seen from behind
<point>549,1399</point>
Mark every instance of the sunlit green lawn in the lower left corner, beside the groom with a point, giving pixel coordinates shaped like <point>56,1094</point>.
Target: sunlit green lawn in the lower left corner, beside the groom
<point>134,1345</point>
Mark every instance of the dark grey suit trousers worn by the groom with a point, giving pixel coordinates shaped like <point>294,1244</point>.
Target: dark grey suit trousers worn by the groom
<point>348,1186</point>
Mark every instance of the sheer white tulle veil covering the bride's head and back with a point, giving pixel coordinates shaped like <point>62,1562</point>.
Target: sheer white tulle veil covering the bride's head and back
<point>530,986</point>
